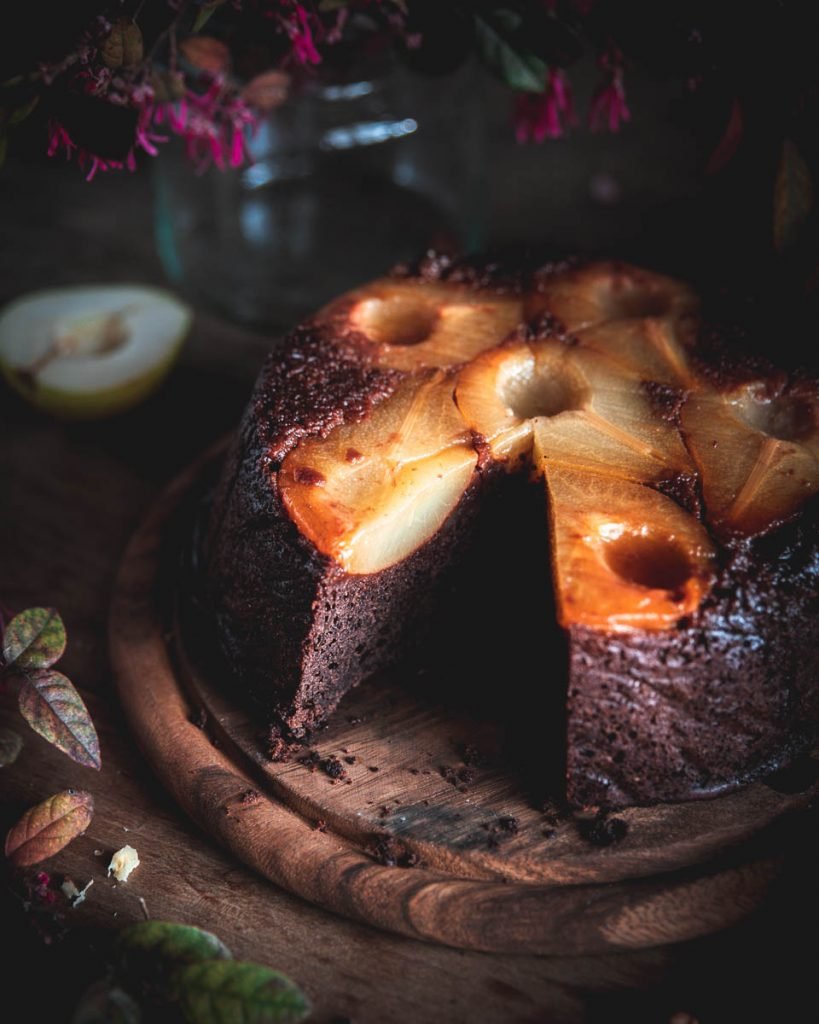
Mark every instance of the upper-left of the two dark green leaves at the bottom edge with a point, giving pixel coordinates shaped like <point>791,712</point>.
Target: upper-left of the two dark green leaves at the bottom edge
<point>150,953</point>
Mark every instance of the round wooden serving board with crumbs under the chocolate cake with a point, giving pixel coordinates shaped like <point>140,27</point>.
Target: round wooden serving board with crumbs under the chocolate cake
<point>428,831</point>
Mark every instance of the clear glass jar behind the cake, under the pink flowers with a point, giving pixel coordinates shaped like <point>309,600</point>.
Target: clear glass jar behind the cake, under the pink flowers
<point>348,178</point>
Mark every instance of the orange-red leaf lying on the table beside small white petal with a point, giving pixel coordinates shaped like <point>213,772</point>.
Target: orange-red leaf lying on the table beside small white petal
<point>45,830</point>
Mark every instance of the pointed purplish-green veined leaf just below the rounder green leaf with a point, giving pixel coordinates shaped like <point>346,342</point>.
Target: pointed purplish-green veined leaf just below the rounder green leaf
<point>52,706</point>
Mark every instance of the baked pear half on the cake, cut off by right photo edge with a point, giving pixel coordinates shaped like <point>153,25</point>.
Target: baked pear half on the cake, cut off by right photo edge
<point>758,454</point>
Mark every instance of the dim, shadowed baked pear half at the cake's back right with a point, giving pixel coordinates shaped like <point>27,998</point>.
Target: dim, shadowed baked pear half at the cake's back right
<point>596,293</point>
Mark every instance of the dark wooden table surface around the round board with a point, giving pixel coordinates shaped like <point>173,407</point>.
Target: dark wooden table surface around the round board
<point>70,498</point>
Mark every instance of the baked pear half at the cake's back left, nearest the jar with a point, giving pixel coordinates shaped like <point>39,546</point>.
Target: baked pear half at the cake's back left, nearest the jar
<point>418,325</point>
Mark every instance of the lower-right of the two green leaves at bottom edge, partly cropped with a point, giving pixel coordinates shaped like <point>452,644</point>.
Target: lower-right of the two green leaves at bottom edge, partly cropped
<point>228,992</point>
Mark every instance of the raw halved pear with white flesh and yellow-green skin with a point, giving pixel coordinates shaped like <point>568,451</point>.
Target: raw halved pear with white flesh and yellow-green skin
<point>83,352</point>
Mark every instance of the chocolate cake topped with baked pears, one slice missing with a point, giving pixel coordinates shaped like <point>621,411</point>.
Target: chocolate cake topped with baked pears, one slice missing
<point>680,481</point>
